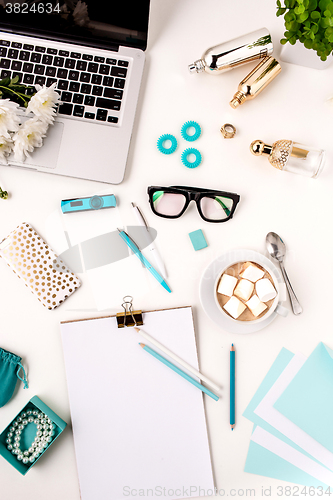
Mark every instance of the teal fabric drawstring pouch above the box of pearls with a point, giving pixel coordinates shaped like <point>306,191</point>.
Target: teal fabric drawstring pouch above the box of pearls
<point>10,366</point>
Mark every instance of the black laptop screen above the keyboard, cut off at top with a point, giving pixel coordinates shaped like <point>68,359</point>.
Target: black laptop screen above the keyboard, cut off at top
<point>98,23</point>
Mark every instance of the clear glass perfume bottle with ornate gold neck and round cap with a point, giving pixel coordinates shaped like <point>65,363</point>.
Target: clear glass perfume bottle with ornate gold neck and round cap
<point>291,157</point>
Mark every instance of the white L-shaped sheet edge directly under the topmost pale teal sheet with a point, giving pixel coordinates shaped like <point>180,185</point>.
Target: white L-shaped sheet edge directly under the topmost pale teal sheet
<point>267,412</point>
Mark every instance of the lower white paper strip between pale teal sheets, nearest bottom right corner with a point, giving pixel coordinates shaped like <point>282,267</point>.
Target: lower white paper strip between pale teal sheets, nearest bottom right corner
<point>288,453</point>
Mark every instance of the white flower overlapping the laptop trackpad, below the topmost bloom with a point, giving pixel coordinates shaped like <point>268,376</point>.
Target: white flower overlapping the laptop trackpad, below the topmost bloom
<point>29,136</point>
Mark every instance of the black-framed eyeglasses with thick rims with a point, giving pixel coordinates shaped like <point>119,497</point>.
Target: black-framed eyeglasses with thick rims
<point>213,206</point>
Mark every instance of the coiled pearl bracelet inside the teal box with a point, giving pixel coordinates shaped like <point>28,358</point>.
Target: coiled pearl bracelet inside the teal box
<point>44,435</point>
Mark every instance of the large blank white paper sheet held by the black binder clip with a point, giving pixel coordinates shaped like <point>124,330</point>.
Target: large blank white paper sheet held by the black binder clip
<point>137,425</point>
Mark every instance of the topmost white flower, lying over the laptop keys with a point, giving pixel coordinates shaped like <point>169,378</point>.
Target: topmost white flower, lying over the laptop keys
<point>43,103</point>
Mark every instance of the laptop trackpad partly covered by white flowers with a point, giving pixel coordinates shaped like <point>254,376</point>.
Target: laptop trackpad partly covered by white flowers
<point>47,155</point>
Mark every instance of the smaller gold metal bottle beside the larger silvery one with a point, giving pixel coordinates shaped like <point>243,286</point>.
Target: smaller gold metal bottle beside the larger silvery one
<point>256,81</point>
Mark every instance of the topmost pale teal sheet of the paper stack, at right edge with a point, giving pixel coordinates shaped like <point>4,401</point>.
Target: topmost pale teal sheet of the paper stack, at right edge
<point>308,400</point>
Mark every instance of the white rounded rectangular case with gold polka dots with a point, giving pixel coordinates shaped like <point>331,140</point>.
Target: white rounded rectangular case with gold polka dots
<point>38,266</point>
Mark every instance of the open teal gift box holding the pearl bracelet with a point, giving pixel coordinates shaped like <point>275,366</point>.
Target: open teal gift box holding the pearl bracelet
<point>29,433</point>
